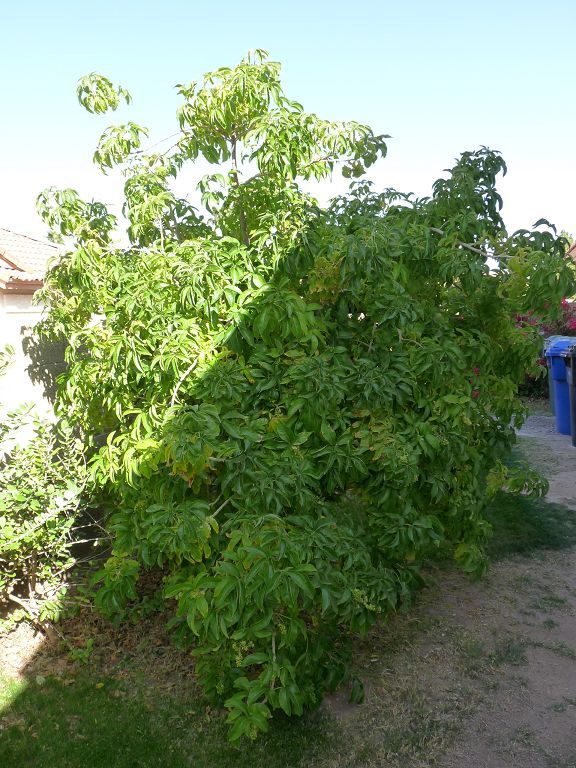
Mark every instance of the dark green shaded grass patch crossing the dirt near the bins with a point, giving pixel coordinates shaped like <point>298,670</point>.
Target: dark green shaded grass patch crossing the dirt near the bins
<point>523,526</point>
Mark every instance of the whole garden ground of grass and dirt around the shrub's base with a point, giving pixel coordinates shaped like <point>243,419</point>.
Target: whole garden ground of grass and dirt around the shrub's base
<point>480,675</point>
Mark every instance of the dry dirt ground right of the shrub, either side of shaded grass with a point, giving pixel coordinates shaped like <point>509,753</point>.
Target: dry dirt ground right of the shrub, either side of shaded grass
<point>484,674</point>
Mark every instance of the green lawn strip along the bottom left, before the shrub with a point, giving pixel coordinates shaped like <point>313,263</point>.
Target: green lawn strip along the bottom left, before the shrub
<point>99,723</point>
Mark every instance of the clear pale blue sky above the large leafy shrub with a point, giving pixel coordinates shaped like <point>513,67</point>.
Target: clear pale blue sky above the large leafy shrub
<point>439,77</point>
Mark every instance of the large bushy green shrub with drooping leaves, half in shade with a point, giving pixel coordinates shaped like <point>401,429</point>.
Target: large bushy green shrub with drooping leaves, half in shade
<point>289,408</point>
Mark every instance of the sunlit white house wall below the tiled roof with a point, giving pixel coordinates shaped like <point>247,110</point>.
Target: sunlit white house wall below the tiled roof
<point>17,315</point>
